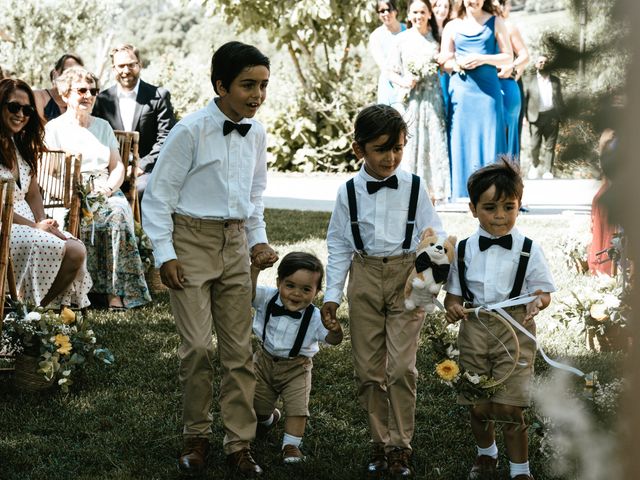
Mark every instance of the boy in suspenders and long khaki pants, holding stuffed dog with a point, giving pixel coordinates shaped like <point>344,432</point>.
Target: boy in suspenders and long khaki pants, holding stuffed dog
<point>373,233</point>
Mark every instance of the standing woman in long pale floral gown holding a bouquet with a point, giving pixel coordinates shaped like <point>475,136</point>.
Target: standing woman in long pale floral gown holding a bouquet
<point>415,70</point>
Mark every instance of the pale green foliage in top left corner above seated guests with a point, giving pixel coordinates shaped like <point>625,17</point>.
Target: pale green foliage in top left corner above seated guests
<point>42,31</point>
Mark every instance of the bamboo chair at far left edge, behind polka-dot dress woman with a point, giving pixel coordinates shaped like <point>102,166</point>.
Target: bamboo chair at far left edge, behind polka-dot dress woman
<point>7,277</point>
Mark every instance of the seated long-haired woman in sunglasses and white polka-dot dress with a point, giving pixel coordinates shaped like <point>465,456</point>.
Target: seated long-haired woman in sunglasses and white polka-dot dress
<point>49,264</point>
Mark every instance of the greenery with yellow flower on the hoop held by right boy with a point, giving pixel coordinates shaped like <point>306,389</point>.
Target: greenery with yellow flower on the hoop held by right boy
<point>471,385</point>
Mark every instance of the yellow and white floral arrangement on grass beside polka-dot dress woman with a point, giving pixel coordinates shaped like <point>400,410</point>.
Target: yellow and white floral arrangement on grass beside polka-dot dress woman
<point>63,342</point>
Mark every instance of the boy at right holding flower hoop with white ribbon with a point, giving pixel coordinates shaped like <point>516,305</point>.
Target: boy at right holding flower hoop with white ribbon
<point>495,264</point>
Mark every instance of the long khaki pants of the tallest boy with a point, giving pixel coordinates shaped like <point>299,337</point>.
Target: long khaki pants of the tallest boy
<point>217,294</point>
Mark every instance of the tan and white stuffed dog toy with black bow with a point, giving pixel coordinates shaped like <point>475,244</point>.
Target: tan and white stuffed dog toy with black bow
<point>433,259</point>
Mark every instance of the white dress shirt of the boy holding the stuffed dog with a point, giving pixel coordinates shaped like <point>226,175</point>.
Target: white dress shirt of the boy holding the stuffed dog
<point>382,218</point>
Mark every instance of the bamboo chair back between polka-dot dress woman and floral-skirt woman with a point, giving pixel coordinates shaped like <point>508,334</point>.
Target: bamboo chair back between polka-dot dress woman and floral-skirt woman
<point>59,180</point>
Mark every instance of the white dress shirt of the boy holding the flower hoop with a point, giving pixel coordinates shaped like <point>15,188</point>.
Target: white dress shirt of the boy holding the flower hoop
<point>490,275</point>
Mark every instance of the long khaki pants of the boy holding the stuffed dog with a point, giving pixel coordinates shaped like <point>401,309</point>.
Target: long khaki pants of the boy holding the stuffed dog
<point>384,338</point>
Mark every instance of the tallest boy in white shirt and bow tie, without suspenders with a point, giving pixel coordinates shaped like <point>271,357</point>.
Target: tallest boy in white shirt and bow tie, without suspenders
<point>203,211</point>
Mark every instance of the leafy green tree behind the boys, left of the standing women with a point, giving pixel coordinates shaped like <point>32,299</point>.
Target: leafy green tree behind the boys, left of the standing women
<point>322,38</point>
